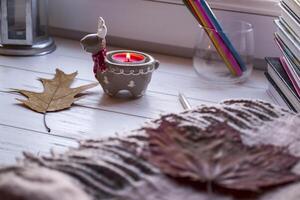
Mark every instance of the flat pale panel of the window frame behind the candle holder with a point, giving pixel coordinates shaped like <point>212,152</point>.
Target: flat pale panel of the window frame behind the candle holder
<point>152,22</point>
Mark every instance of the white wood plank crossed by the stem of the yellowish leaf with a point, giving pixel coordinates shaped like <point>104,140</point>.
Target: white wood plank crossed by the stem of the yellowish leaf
<point>77,122</point>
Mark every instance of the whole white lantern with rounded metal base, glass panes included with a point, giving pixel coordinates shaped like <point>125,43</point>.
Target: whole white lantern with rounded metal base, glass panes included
<point>24,28</point>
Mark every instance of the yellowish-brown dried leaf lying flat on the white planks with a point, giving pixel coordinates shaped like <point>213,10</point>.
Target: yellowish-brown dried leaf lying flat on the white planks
<point>57,94</point>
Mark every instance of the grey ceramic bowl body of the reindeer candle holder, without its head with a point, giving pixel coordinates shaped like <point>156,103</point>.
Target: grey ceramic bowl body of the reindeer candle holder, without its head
<point>132,76</point>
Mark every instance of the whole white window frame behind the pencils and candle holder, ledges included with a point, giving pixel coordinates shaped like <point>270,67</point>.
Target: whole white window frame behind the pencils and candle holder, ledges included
<point>161,24</point>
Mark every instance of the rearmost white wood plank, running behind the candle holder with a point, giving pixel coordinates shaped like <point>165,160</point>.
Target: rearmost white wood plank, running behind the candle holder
<point>169,65</point>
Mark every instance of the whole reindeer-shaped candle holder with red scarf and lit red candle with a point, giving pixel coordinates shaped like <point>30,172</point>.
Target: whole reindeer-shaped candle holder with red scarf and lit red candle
<point>118,70</point>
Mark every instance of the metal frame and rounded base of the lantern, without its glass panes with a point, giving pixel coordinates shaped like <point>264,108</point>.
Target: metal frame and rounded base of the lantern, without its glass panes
<point>33,44</point>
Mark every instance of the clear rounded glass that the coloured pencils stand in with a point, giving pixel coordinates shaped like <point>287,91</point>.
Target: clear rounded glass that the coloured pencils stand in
<point>208,63</point>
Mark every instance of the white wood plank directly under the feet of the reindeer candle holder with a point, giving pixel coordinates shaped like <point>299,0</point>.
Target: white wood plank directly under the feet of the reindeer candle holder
<point>150,106</point>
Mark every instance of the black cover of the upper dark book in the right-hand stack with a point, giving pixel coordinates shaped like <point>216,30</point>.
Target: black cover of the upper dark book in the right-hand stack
<point>278,68</point>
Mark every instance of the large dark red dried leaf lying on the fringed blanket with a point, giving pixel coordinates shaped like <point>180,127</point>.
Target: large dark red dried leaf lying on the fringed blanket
<point>218,157</point>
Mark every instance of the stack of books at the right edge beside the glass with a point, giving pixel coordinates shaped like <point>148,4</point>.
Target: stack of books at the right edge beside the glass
<point>284,73</point>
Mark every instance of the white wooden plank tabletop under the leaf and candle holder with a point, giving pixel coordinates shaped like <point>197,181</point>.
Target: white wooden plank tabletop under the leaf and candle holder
<point>97,115</point>
